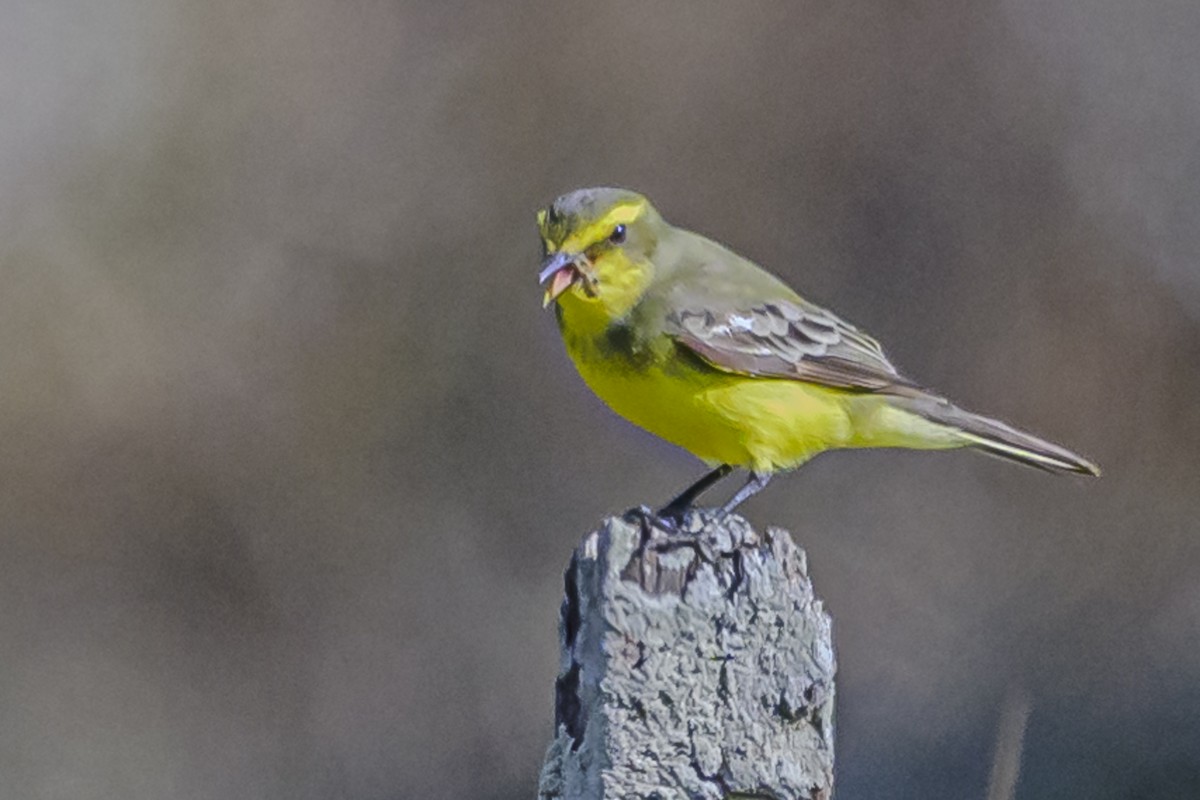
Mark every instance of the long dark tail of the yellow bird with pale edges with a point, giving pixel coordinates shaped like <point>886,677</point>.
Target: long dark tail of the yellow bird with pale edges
<point>995,438</point>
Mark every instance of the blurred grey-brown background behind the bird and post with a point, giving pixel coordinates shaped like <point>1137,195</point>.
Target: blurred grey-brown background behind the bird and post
<point>292,459</point>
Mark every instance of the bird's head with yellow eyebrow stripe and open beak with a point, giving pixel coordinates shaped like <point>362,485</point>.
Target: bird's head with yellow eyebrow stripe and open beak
<point>598,246</point>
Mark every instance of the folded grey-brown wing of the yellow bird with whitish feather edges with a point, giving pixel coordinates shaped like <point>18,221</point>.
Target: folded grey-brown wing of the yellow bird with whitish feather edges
<point>787,340</point>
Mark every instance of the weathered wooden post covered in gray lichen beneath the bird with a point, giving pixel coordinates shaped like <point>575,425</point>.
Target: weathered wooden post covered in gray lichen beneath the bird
<point>694,665</point>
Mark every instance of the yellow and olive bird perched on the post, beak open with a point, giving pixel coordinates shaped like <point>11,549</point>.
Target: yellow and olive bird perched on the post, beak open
<point>711,352</point>
